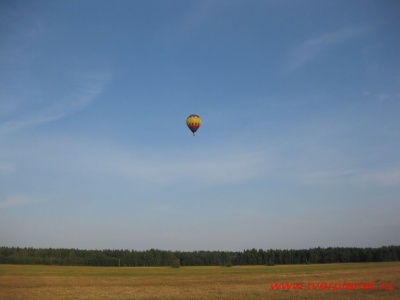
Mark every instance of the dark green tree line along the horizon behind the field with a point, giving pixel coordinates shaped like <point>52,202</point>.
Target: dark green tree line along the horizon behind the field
<point>155,257</point>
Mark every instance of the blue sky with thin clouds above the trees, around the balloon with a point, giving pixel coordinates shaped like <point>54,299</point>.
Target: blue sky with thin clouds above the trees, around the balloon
<point>299,146</point>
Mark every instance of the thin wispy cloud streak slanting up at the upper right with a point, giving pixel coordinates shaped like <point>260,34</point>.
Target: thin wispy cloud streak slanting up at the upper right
<point>313,48</point>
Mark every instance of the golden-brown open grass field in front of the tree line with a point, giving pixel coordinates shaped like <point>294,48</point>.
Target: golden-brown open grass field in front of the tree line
<point>377,281</point>
